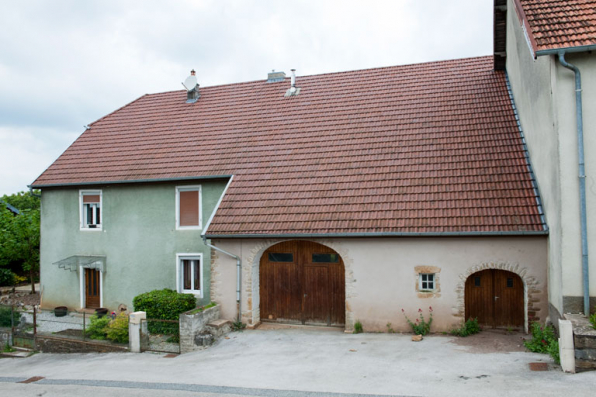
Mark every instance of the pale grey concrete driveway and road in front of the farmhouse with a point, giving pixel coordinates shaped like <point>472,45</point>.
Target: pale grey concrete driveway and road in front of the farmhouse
<point>298,362</point>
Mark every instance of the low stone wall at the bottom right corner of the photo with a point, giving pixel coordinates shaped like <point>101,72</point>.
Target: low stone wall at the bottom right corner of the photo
<point>584,341</point>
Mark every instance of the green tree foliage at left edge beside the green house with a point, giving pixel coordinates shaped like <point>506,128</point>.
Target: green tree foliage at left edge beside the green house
<point>19,234</point>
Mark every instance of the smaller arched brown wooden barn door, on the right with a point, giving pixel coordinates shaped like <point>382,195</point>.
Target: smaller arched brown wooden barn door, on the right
<point>496,298</point>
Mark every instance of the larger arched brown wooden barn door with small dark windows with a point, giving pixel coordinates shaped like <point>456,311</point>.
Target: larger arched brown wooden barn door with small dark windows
<point>302,282</point>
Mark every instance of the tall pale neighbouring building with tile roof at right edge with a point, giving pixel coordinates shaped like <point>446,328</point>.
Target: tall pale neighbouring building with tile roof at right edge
<point>545,95</point>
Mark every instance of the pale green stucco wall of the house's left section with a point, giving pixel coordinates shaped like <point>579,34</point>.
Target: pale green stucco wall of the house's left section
<point>138,237</point>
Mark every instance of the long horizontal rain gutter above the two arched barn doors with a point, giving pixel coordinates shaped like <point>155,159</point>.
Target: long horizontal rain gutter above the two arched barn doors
<point>380,234</point>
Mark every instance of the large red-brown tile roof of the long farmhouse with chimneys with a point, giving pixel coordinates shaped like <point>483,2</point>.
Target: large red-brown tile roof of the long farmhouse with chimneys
<point>427,148</point>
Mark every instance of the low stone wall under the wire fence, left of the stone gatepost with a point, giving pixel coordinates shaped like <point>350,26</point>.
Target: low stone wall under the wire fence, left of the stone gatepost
<point>64,344</point>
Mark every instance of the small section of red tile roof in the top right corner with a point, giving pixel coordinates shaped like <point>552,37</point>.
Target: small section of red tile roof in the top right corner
<point>558,24</point>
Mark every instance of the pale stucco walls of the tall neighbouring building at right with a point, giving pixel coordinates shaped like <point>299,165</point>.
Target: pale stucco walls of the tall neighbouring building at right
<point>544,94</point>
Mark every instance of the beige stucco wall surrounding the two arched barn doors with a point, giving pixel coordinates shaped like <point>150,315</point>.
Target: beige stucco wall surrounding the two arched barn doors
<point>381,276</point>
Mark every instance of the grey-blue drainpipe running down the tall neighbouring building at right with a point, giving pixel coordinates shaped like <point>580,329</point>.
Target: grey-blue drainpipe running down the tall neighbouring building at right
<point>582,178</point>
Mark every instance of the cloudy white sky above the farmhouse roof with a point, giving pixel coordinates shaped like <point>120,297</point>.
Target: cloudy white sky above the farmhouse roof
<point>66,63</point>
